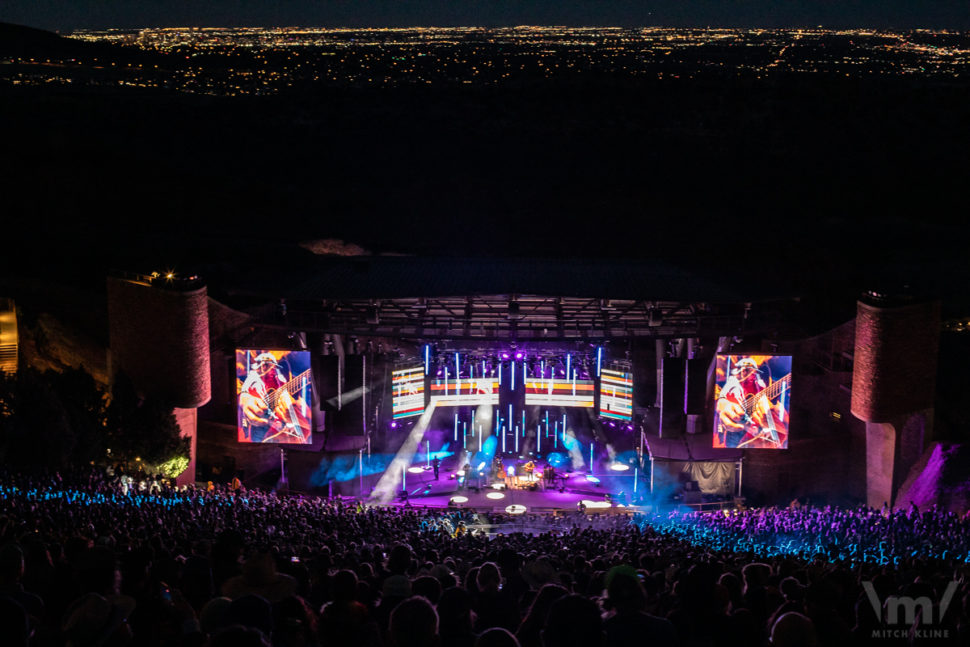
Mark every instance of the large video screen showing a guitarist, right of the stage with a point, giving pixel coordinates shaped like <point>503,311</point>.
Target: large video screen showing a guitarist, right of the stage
<point>752,396</point>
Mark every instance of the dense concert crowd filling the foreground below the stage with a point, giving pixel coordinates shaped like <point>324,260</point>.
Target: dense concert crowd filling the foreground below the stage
<point>86,560</point>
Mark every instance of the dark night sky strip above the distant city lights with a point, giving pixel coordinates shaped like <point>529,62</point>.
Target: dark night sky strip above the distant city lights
<point>98,14</point>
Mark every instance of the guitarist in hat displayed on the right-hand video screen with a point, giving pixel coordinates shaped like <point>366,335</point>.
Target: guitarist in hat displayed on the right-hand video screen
<point>746,415</point>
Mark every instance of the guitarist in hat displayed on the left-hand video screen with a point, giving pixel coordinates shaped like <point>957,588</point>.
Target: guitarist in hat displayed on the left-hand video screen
<point>269,412</point>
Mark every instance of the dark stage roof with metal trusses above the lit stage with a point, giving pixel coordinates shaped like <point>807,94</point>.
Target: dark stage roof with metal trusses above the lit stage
<point>499,298</point>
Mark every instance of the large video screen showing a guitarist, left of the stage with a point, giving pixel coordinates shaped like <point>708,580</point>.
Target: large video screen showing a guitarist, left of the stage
<point>275,395</point>
